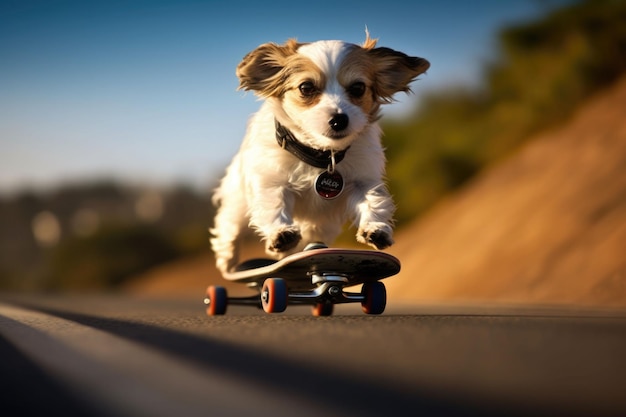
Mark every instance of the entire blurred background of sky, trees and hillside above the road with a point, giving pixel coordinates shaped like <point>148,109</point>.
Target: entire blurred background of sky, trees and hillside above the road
<point>507,164</point>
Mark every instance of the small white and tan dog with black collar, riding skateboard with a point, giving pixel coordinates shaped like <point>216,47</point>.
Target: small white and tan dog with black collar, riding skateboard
<point>312,156</point>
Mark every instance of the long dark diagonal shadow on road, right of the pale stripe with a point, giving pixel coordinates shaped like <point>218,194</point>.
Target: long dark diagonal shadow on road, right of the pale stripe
<point>347,395</point>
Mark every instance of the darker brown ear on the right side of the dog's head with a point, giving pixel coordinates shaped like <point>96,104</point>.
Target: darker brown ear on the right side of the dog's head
<point>395,71</point>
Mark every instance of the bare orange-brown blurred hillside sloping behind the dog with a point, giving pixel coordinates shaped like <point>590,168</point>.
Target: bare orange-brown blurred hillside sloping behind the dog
<point>547,225</point>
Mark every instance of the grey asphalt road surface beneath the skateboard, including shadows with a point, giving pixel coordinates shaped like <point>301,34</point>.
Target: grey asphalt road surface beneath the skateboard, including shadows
<point>121,356</point>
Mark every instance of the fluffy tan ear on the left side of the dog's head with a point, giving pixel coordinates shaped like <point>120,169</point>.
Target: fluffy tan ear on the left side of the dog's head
<point>262,70</point>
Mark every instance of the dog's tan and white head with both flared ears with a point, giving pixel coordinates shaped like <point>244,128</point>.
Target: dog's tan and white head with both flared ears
<point>328,91</point>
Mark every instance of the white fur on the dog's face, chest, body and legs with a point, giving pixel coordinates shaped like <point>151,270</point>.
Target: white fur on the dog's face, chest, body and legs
<point>270,190</point>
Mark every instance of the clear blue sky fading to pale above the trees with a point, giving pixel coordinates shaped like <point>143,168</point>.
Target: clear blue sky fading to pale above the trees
<point>145,91</point>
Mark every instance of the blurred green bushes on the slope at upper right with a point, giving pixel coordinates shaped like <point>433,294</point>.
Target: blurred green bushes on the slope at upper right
<point>544,70</point>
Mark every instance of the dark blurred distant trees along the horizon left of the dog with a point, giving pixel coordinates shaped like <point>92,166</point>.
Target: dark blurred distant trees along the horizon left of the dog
<point>97,236</point>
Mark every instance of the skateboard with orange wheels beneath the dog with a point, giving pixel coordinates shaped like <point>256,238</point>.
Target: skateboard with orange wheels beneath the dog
<point>316,276</point>
